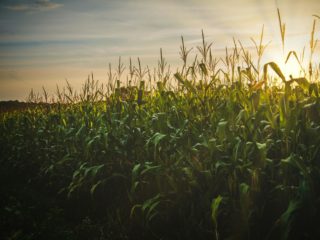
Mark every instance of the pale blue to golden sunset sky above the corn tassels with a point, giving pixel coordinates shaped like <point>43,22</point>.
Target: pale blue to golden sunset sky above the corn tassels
<point>45,42</point>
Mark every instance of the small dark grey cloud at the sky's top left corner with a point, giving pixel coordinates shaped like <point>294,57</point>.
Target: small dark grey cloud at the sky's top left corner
<point>37,5</point>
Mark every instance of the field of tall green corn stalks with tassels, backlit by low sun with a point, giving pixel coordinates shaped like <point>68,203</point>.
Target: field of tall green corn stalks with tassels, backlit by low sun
<point>219,149</point>
